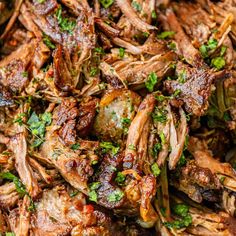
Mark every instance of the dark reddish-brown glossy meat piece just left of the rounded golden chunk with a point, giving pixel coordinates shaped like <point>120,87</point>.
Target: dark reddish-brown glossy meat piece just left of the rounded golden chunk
<point>86,115</point>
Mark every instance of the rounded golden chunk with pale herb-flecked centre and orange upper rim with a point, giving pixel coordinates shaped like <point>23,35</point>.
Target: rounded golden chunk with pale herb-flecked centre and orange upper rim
<point>115,108</point>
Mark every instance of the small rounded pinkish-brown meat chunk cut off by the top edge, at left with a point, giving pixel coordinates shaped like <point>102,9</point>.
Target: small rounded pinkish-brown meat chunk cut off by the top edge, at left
<point>45,7</point>
